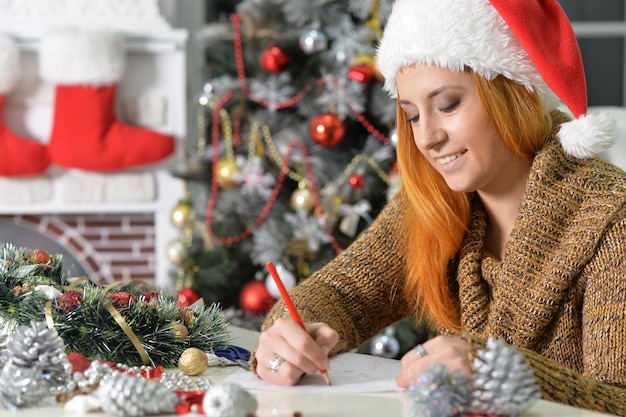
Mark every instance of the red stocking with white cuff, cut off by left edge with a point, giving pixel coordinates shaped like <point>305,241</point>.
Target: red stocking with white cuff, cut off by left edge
<point>18,156</point>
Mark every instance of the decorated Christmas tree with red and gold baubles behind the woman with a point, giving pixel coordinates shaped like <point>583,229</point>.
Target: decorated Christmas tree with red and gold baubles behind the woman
<point>296,152</point>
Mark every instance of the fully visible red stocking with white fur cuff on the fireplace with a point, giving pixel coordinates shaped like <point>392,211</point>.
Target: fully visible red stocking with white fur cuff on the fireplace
<point>85,67</point>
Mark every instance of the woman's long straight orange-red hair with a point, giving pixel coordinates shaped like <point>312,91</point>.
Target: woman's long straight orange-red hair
<point>436,216</point>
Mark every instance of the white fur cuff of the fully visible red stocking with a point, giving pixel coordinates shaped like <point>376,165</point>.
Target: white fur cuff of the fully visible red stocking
<point>74,56</point>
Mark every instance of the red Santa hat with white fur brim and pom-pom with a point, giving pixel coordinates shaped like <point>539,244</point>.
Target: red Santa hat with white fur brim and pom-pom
<point>528,41</point>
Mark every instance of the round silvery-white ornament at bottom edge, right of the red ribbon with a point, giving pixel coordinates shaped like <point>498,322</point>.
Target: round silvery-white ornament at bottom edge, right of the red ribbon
<point>228,400</point>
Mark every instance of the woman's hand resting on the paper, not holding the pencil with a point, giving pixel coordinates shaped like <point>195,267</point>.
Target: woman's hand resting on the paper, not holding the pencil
<point>453,352</point>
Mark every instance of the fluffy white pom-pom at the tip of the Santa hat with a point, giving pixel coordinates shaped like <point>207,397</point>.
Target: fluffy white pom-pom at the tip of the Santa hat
<point>588,135</point>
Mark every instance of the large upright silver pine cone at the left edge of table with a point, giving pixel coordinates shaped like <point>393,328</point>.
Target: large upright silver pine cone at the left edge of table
<point>34,367</point>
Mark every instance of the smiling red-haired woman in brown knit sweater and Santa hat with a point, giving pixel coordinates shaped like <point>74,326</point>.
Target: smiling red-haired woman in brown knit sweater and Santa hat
<point>506,225</point>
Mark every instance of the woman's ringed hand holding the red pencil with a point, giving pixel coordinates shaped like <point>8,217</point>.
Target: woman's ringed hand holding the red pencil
<point>302,352</point>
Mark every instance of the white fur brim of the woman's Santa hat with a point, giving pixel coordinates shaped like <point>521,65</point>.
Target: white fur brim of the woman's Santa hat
<point>453,34</point>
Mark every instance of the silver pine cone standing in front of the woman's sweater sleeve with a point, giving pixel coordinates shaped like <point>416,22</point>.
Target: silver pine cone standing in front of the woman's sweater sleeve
<point>504,383</point>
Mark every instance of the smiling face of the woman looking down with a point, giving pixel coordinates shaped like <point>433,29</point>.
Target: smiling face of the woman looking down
<point>452,131</point>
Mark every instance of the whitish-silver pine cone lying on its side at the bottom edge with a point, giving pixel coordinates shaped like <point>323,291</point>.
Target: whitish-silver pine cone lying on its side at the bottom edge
<point>124,395</point>
